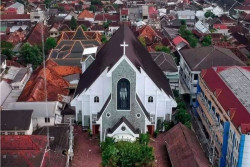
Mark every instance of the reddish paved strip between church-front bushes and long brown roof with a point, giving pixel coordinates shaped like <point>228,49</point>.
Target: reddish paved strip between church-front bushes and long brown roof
<point>161,154</point>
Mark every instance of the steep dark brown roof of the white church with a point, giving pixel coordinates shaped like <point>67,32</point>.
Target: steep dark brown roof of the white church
<point>111,52</point>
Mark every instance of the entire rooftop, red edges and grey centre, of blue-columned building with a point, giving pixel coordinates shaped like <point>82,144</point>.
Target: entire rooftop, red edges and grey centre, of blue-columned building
<point>230,85</point>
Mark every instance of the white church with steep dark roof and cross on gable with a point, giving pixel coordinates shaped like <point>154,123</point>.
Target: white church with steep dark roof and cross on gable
<point>123,92</point>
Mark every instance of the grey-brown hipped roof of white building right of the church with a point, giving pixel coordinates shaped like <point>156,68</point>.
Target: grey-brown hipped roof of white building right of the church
<point>206,57</point>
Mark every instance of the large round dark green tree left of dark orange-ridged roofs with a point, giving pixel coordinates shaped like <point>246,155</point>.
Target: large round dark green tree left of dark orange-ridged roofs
<point>31,55</point>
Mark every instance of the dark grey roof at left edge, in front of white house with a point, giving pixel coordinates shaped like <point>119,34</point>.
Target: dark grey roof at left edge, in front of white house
<point>15,119</point>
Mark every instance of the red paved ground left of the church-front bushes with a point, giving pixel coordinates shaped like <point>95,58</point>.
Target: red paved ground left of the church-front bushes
<point>86,150</point>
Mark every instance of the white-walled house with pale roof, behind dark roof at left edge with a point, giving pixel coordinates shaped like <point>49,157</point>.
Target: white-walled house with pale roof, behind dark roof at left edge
<point>44,113</point>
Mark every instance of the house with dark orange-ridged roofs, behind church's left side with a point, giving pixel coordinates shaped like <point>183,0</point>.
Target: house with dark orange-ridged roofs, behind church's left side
<point>76,47</point>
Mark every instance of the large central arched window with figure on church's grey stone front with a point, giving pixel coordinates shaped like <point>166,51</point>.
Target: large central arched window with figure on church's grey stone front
<point>123,94</point>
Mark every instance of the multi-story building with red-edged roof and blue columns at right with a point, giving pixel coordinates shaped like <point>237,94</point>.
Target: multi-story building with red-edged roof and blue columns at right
<point>223,106</point>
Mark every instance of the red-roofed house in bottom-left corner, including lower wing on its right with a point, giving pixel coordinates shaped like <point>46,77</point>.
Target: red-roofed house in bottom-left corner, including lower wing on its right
<point>29,150</point>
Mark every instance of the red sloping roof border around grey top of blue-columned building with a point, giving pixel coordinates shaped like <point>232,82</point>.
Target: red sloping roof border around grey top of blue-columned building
<point>238,113</point>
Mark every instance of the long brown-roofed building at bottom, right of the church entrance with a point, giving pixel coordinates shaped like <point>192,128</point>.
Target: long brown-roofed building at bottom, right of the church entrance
<point>184,148</point>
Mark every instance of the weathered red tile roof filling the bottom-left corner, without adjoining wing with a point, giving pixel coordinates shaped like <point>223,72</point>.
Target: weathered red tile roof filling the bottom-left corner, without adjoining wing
<point>26,150</point>
